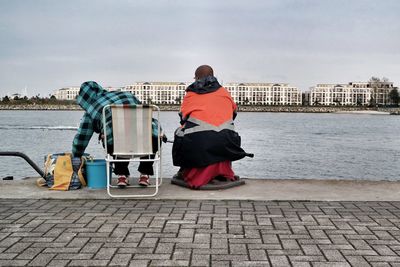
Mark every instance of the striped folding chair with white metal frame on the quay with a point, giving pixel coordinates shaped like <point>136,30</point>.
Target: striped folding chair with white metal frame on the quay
<point>132,139</point>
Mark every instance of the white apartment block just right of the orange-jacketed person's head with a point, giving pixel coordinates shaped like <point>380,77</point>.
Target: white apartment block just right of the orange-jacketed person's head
<point>264,93</point>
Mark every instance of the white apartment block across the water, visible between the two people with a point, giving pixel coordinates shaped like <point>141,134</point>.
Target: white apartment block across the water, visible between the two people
<point>158,92</point>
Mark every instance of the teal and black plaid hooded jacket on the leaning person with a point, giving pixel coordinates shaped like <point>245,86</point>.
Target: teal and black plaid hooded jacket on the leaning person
<point>93,98</point>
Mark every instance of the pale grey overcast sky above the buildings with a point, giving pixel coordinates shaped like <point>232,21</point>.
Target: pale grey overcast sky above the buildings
<point>47,45</point>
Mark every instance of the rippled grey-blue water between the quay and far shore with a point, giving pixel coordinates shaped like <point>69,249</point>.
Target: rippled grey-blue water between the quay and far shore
<point>286,145</point>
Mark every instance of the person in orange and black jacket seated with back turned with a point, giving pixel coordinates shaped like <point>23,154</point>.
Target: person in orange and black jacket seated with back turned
<point>206,143</point>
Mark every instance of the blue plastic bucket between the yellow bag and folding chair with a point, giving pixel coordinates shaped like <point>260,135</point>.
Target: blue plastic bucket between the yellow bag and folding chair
<point>96,174</point>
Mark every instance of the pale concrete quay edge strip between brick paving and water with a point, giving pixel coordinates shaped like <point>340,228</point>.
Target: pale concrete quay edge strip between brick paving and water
<point>254,189</point>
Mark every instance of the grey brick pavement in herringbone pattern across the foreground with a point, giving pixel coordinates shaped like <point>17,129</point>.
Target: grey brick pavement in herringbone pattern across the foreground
<point>198,233</point>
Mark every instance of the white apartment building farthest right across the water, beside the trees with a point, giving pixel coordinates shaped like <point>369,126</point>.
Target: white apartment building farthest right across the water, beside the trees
<point>353,93</point>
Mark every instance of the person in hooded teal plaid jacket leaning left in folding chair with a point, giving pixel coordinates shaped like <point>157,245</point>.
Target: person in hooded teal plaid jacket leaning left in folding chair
<point>93,98</point>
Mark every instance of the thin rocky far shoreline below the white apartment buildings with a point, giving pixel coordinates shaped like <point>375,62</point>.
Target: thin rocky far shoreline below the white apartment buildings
<point>241,108</point>
